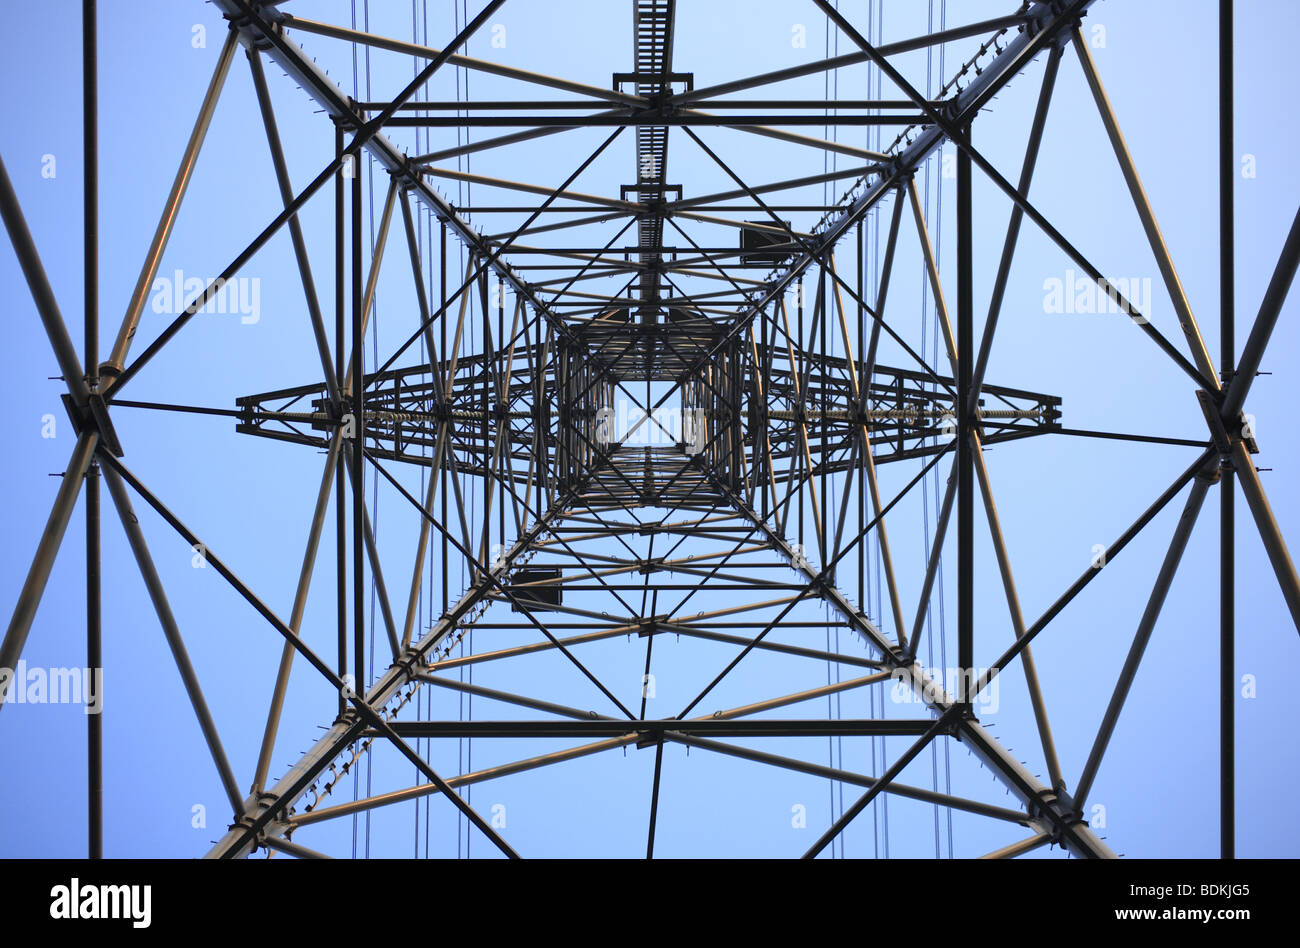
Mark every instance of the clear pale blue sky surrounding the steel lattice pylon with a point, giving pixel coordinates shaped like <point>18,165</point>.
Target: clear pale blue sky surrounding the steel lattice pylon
<point>252,500</point>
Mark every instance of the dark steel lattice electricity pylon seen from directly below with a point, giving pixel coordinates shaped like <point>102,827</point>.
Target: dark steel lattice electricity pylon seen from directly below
<point>651,431</point>
